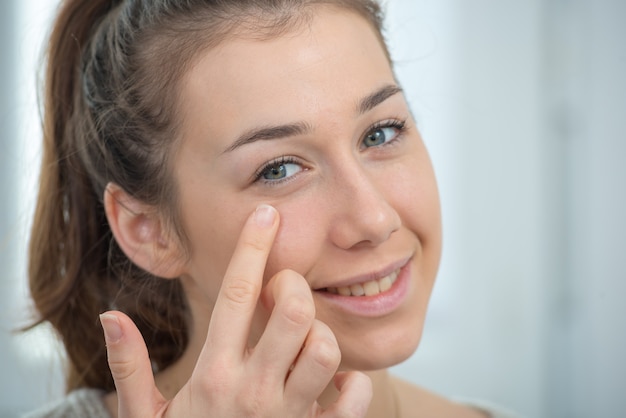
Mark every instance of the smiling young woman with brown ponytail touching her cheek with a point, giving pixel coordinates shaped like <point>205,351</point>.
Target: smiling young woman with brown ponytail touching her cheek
<point>245,181</point>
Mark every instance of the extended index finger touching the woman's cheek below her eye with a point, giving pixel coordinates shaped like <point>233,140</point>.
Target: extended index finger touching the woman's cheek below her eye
<point>236,303</point>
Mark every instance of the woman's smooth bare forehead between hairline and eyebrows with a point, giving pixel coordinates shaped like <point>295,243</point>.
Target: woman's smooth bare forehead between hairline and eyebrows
<point>330,65</point>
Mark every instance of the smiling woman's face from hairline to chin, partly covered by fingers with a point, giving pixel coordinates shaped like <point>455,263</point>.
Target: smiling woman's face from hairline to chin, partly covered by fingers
<point>313,123</point>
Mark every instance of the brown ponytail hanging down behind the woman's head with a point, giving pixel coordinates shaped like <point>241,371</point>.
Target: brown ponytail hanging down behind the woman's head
<point>70,234</point>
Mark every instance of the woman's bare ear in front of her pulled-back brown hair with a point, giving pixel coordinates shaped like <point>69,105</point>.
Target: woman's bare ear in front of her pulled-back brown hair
<point>140,233</point>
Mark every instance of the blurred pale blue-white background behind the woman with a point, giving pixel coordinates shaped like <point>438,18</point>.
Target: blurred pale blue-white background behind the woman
<point>523,107</point>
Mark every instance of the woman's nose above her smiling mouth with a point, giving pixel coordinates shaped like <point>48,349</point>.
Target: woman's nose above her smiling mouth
<point>363,215</point>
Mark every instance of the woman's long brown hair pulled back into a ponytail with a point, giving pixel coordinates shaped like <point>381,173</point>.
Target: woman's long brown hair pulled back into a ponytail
<point>110,115</point>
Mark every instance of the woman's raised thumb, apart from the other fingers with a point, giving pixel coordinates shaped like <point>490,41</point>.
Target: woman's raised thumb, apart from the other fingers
<point>130,366</point>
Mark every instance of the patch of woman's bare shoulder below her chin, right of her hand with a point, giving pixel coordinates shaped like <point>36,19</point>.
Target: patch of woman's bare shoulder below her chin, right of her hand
<point>415,401</point>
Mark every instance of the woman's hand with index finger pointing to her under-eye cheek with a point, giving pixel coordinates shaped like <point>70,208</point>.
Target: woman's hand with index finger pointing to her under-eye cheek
<point>282,376</point>
